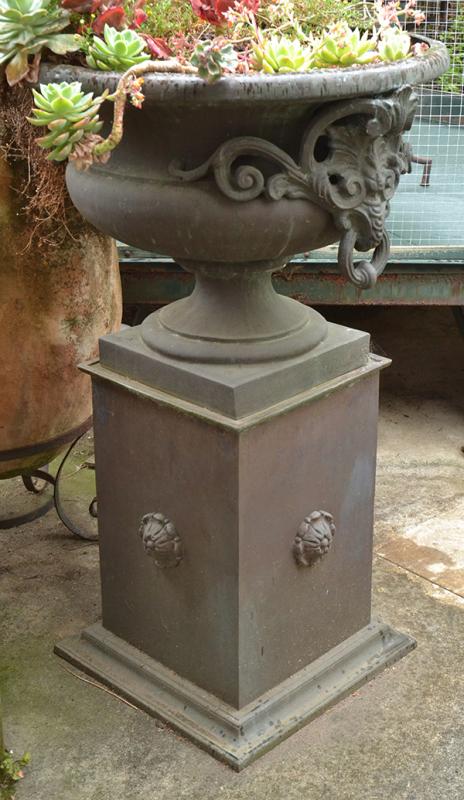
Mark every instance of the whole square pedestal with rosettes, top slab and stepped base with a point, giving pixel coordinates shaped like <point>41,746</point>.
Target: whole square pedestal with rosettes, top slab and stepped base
<point>236,548</point>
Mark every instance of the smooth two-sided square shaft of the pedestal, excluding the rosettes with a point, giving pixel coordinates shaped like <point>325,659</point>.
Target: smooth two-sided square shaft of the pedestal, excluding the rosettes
<point>237,615</point>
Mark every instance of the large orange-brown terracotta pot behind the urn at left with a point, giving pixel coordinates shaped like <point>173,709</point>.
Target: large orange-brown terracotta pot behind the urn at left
<point>53,308</point>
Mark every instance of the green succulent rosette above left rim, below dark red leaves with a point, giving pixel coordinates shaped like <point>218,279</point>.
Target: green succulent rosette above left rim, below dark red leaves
<point>118,51</point>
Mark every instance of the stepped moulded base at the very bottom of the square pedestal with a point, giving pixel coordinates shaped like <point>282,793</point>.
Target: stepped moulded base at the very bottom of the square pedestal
<point>236,737</point>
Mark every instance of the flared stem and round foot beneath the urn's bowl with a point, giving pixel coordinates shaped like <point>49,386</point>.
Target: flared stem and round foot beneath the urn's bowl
<point>234,315</point>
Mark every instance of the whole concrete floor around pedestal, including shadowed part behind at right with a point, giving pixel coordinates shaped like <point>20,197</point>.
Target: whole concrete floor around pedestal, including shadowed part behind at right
<point>401,737</point>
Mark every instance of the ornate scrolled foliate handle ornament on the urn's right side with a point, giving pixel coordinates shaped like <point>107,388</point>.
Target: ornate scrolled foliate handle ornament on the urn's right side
<point>351,159</point>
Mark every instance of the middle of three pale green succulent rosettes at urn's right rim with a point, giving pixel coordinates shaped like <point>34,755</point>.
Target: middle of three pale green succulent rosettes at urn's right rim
<point>343,47</point>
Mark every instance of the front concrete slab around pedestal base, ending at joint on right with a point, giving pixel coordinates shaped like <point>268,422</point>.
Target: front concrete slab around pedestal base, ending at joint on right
<point>399,737</point>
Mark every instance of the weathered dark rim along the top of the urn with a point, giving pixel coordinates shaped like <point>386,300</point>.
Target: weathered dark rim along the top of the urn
<point>327,84</point>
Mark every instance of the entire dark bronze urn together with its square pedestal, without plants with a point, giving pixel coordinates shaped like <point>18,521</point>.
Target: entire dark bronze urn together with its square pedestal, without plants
<point>235,429</point>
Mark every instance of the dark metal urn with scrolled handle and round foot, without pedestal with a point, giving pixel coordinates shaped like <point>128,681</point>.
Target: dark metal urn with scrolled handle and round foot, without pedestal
<point>232,179</point>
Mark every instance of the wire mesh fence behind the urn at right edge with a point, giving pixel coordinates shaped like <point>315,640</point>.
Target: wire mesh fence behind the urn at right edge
<point>428,210</point>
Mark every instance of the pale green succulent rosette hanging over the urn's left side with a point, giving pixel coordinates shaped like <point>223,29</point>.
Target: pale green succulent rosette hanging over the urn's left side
<point>68,113</point>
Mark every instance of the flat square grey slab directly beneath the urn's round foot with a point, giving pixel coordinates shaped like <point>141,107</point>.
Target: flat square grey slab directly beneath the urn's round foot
<point>235,390</point>
